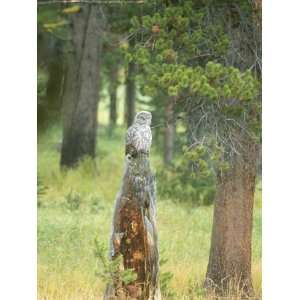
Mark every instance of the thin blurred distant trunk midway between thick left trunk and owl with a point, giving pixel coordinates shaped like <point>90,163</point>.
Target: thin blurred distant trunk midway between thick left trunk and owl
<point>113,85</point>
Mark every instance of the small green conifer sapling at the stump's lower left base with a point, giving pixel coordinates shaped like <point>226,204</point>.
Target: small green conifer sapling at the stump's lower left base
<point>111,271</point>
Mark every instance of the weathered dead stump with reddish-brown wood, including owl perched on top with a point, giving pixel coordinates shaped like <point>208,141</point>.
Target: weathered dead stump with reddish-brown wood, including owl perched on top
<point>134,233</point>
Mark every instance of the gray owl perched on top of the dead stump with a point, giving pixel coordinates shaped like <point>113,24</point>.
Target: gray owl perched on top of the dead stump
<point>139,136</point>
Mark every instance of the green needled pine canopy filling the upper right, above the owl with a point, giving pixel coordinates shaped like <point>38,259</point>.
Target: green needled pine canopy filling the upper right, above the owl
<point>182,50</point>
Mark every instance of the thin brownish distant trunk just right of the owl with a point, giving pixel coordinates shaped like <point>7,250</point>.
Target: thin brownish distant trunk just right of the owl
<point>170,131</point>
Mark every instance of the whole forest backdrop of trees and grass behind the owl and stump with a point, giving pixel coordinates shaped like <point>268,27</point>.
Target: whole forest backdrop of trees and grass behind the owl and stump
<point>196,65</point>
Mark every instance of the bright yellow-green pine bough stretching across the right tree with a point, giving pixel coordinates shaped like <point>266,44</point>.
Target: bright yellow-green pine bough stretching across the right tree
<point>215,82</point>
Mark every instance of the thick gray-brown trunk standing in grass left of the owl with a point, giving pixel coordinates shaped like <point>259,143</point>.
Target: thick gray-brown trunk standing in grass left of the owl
<point>81,95</point>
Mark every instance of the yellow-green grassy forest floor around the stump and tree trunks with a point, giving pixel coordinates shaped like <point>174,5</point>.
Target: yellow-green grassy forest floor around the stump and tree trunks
<point>68,224</point>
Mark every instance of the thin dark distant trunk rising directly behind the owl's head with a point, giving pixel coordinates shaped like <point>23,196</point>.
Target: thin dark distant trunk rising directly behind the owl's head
<point>130,92</point>
